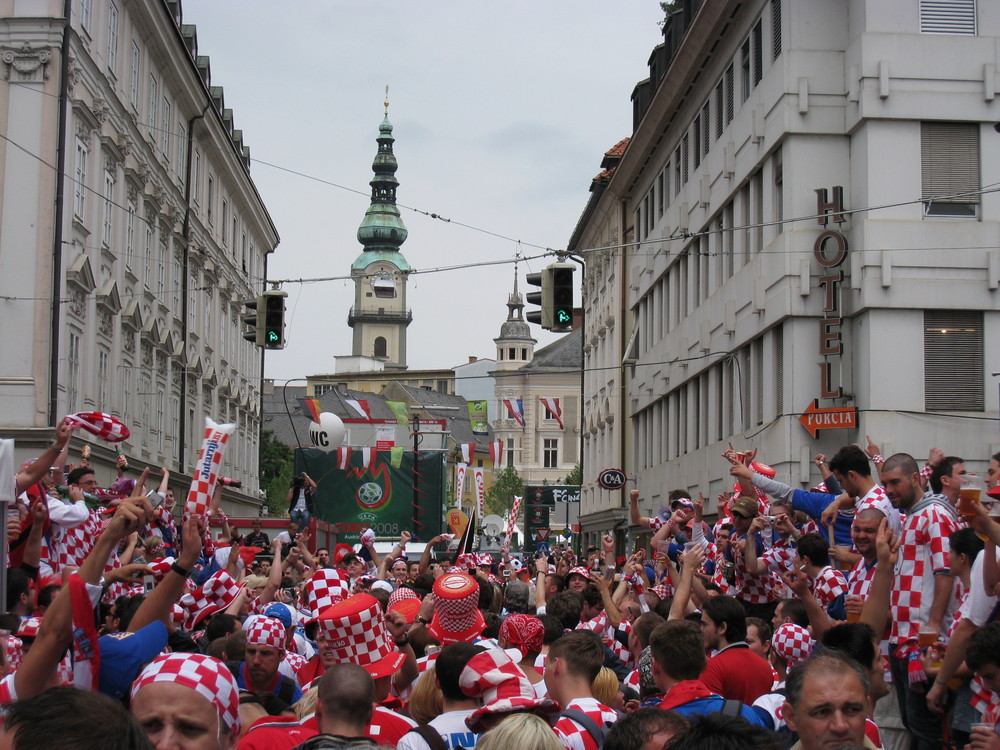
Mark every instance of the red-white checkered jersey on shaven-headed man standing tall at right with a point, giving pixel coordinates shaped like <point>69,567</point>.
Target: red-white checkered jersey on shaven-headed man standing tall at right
<point>923,549</point>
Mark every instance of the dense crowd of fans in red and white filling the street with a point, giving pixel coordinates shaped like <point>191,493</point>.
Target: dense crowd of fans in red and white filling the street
<point>795,619</point>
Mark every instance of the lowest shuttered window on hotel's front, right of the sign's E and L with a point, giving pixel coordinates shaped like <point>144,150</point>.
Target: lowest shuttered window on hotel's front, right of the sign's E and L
<point>953,360</point>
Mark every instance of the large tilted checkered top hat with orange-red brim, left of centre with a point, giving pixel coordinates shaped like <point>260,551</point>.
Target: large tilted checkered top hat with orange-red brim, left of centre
<point>355,630</point>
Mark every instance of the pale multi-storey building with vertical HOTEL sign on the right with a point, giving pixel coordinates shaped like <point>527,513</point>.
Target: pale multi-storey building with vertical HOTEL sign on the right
<point>804,218</point>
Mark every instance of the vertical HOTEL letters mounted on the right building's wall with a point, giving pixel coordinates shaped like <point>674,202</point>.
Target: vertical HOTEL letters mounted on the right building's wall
<point>830,251</point>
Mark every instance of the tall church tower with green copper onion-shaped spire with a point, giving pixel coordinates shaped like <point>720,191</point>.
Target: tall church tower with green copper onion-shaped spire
<point>380,316</point>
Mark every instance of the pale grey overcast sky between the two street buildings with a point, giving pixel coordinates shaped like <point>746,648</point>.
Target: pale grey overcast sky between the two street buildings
<point>501,114</point>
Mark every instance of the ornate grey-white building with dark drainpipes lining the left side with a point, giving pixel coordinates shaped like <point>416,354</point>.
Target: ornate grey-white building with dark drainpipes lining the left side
<point>131,234</point>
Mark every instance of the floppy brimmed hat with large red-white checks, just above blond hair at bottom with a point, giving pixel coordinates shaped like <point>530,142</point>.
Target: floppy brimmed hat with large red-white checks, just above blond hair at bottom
<point>494,677</point>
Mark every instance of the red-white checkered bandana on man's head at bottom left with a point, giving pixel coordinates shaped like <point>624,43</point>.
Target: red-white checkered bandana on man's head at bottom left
<point>206,675</point>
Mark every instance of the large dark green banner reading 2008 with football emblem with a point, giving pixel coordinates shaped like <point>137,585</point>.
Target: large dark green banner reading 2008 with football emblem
<point>374,489</point>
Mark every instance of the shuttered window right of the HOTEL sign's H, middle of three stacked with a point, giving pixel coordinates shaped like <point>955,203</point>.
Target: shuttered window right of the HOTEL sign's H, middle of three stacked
<point>949,154</point>
